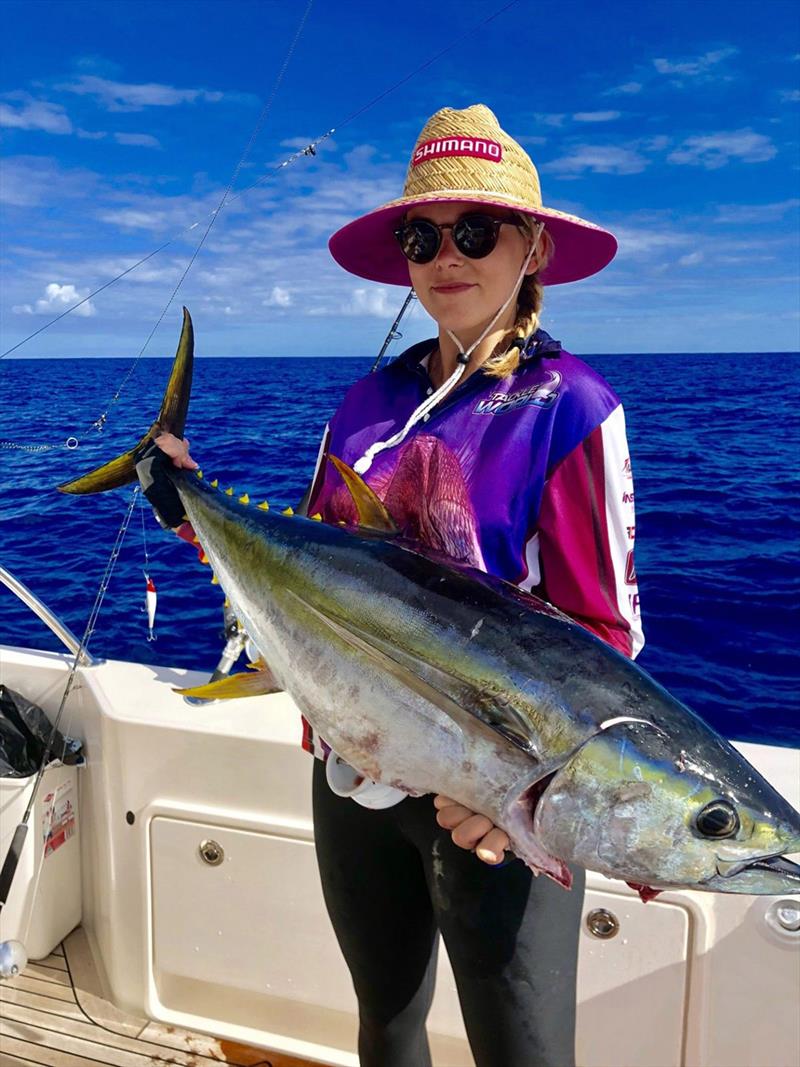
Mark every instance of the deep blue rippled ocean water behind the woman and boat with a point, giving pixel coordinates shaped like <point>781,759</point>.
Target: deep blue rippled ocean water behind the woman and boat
<point>715,450</point>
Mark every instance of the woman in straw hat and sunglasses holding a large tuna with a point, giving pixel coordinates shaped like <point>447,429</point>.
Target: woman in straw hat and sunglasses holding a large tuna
<point>492,445</point>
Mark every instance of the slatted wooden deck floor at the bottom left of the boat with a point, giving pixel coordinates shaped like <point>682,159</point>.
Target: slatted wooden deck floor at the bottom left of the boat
<point>45,1022</point>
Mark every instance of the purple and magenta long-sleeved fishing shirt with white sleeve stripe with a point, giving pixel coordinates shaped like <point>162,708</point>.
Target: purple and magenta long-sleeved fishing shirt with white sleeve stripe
<point>526,477</point>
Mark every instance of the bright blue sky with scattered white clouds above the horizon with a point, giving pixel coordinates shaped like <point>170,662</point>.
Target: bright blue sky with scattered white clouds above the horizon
<point>676,125</point>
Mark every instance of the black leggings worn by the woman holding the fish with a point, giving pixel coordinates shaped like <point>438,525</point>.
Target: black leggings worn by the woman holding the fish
<point>393,880</point>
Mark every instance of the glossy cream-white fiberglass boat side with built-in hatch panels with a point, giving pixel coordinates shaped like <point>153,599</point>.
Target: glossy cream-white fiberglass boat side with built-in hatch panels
<point>243,948</point>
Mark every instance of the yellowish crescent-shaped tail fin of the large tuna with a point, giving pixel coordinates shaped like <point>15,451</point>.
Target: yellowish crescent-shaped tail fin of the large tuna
<point>171,420</point>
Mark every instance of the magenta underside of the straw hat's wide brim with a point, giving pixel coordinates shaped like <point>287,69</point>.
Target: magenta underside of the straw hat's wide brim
<point>367,247</point>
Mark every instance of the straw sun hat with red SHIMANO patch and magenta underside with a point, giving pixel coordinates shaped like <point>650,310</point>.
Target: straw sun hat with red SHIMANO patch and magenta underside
<point>467,156</point>
